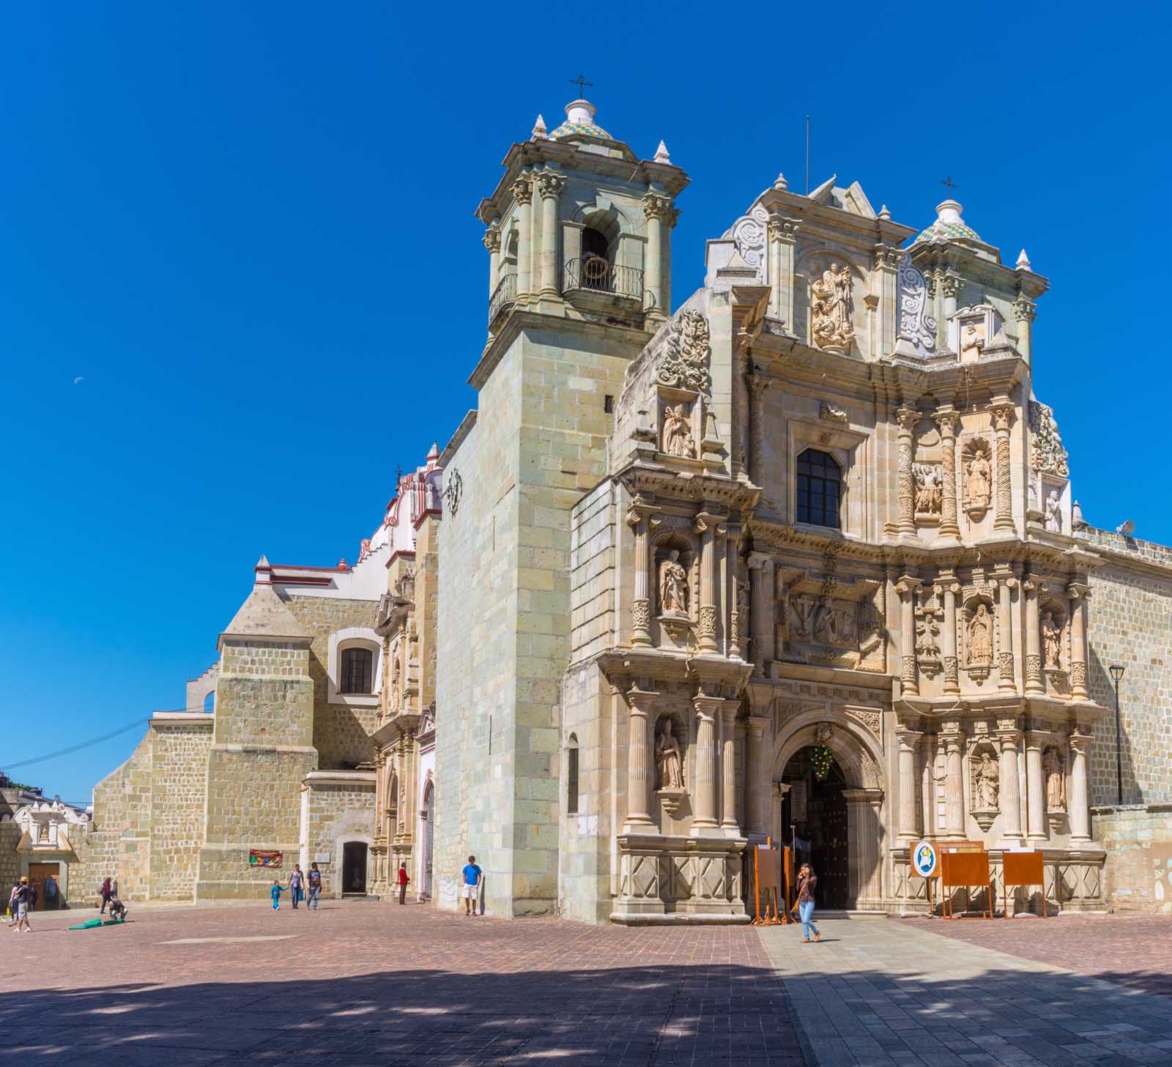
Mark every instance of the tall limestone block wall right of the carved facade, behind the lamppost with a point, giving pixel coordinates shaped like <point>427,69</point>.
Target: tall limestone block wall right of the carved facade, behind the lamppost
<point>1130,623</point>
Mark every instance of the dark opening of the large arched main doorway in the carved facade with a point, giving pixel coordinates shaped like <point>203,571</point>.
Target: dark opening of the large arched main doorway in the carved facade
<point>814,813</point>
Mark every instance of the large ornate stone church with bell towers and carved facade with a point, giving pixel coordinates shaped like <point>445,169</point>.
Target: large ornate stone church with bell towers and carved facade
<point>796,558</point>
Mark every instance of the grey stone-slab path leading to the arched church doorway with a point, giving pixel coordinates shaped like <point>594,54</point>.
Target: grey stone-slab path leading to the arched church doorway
<point>884,993</point>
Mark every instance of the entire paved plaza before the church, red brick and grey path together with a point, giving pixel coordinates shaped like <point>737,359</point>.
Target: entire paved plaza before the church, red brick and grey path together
<point>374,984</point>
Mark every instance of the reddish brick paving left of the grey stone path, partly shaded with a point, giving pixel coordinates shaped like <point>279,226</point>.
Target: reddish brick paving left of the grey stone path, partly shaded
<point>374,984</point>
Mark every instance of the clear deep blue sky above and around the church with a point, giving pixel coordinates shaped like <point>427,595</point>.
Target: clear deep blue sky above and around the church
<point>250,229</point>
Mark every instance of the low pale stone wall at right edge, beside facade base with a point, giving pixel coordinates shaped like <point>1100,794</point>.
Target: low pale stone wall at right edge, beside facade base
<point>1139,842</point>
